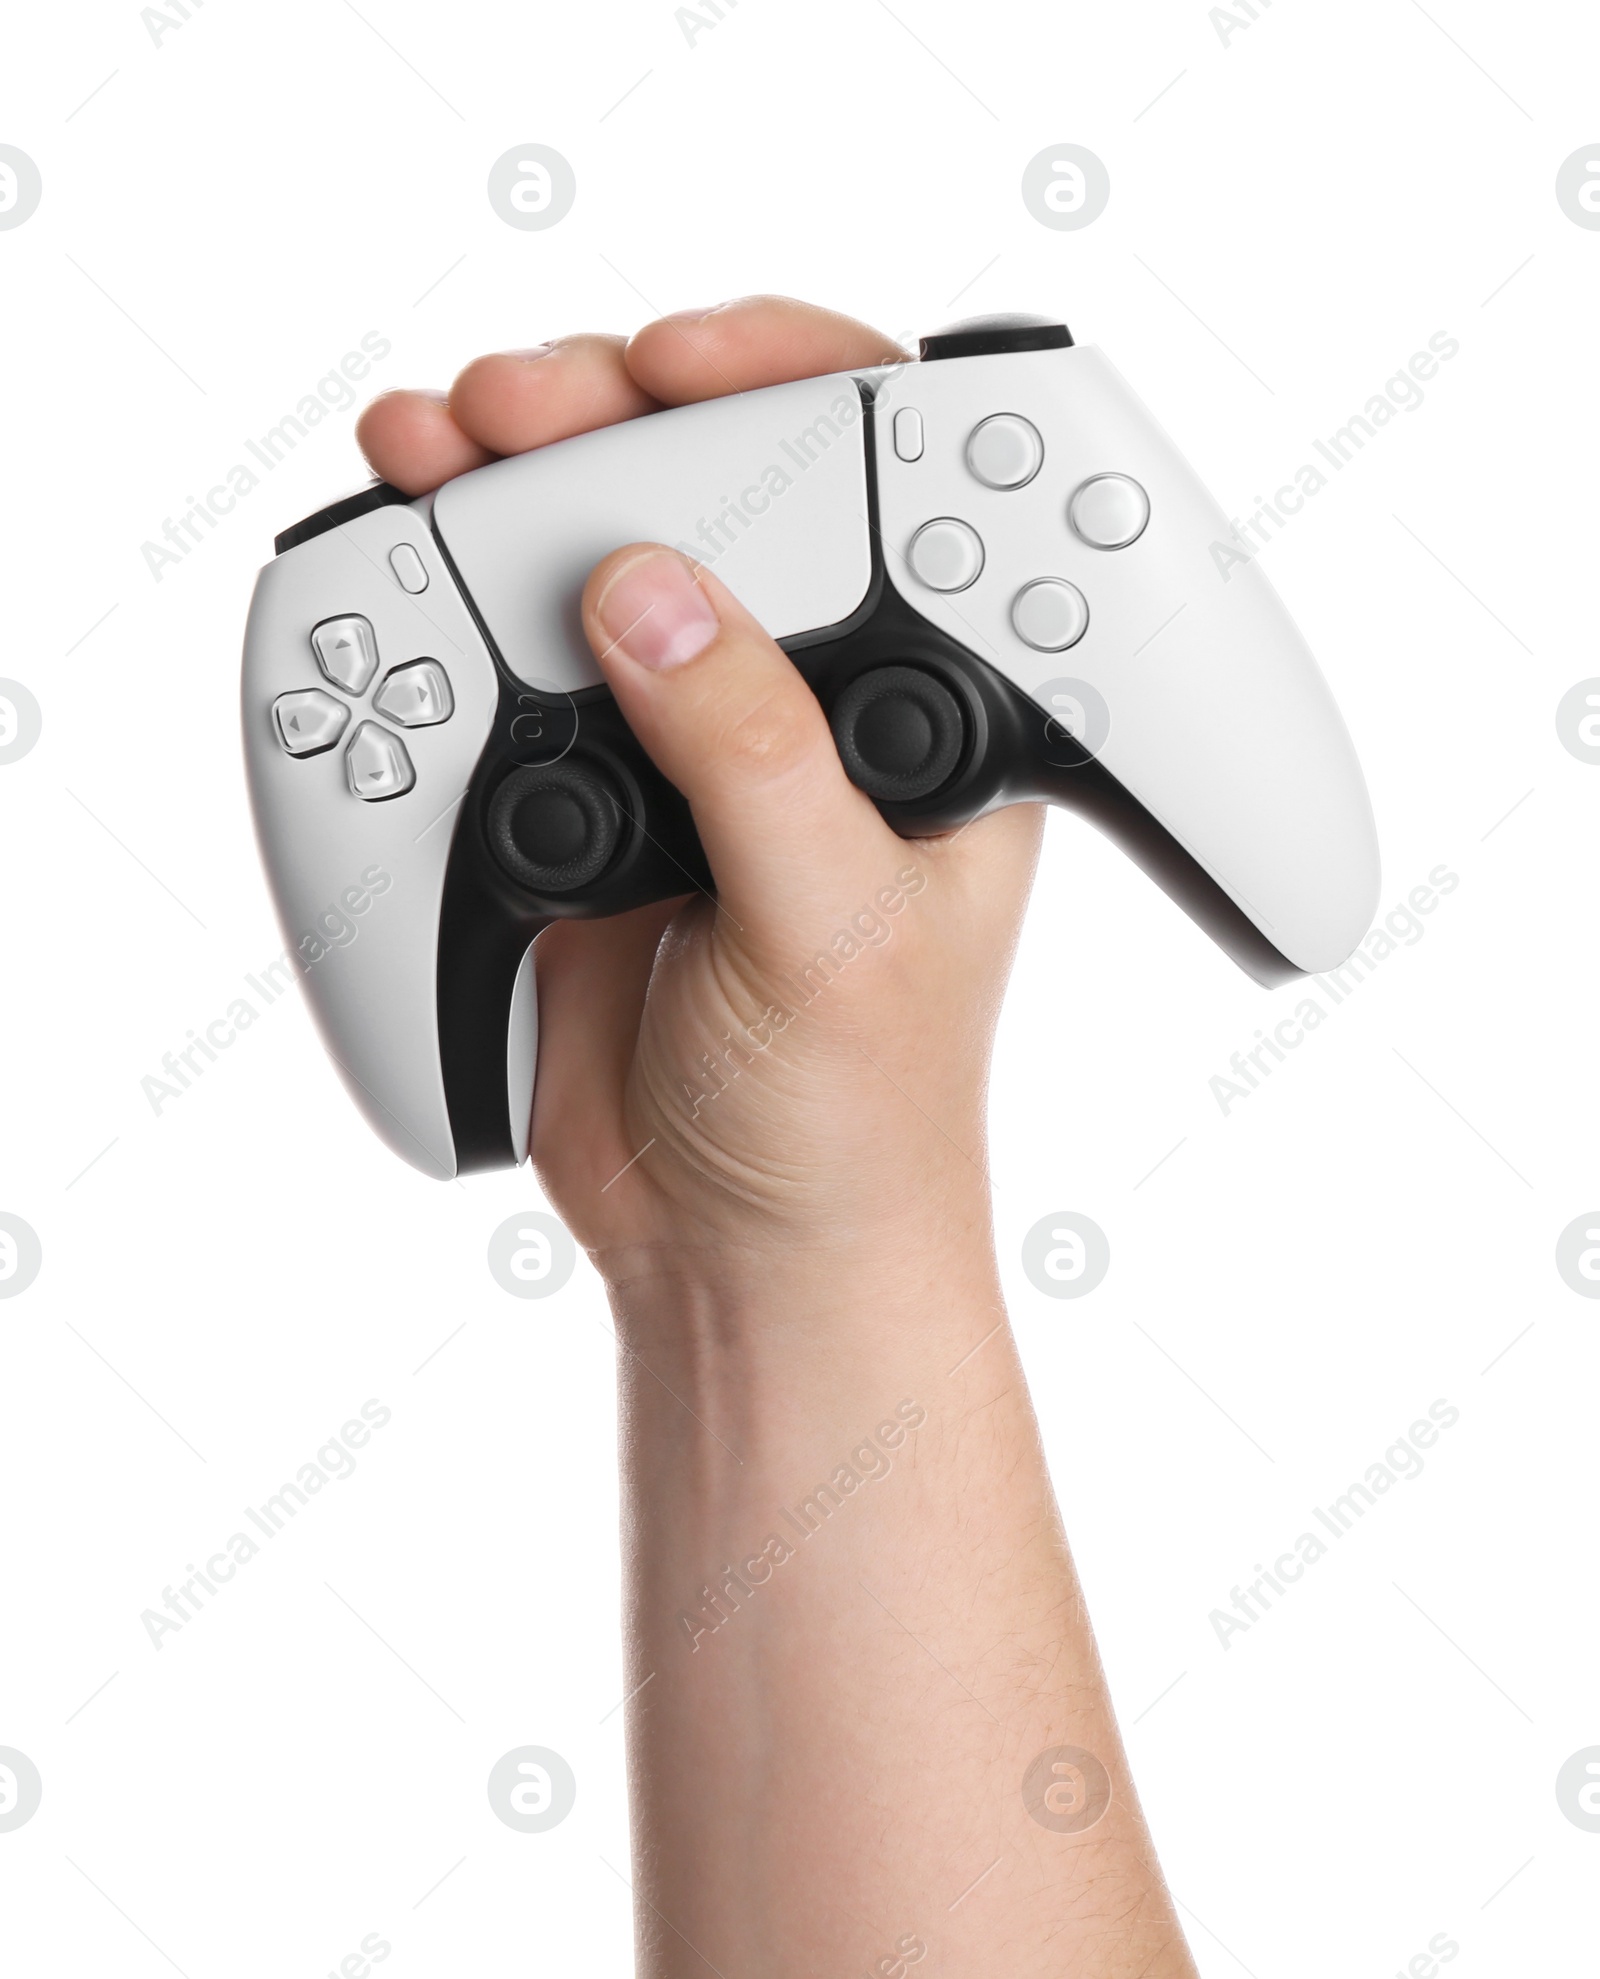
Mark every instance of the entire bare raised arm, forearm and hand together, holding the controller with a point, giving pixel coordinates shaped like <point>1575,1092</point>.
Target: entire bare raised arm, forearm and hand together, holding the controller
<point>765,1117</point>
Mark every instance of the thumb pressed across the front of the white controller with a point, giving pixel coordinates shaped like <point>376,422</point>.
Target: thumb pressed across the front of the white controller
<point>726,715</point>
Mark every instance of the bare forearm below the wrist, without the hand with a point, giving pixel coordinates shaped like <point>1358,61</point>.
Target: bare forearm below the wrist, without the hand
<point>858,1630</point>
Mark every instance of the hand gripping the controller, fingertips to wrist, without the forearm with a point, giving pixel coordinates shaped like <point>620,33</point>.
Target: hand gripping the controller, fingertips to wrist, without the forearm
<point>807,1056</point>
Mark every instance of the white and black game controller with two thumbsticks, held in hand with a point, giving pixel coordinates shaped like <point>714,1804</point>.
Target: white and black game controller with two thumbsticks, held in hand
<point>991,567</point>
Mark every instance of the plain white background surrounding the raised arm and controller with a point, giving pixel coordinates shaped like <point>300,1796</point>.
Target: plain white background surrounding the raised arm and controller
<point>1298,1281</point>
